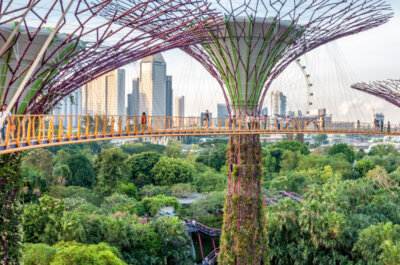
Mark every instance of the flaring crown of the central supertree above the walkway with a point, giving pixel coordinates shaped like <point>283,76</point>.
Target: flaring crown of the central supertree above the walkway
<point>284,30</point>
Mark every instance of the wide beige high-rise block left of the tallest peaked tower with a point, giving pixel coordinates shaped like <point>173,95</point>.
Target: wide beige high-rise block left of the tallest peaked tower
<point>105,95</point>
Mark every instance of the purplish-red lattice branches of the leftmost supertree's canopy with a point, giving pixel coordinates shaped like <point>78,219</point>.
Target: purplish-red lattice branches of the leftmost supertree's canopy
<point>91,45</point>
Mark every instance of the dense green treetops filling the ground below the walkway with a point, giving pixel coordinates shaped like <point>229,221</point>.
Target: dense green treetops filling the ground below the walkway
<point>99,204</point>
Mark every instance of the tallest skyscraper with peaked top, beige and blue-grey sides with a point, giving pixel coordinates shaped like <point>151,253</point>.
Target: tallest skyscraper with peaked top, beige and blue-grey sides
<point>152,86</point>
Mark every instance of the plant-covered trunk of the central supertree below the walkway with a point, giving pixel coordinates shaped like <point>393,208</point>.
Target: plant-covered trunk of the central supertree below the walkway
<point>244,239</point>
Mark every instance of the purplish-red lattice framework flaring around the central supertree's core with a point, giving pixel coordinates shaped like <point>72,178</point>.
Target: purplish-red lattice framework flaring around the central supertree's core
<point>321,21</point>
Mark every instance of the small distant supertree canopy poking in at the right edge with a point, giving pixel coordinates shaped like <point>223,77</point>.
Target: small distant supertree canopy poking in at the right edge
<point>388,90</point>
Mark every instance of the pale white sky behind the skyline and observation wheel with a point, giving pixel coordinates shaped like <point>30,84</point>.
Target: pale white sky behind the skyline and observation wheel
<point>368,56</point>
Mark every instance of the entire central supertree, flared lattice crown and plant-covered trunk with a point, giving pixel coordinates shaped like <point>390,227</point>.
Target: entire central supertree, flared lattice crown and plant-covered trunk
<point>258,40</point>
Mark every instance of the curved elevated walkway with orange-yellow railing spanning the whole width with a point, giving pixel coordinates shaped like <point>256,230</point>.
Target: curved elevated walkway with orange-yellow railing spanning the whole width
<point>24,132</point>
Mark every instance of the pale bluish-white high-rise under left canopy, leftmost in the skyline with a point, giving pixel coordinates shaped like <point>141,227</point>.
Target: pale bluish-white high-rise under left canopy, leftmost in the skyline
<point>69,105</point>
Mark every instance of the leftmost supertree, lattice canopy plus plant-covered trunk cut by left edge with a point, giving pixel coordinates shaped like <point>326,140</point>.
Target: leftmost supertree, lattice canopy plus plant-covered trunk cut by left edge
<point>49,48</point>
